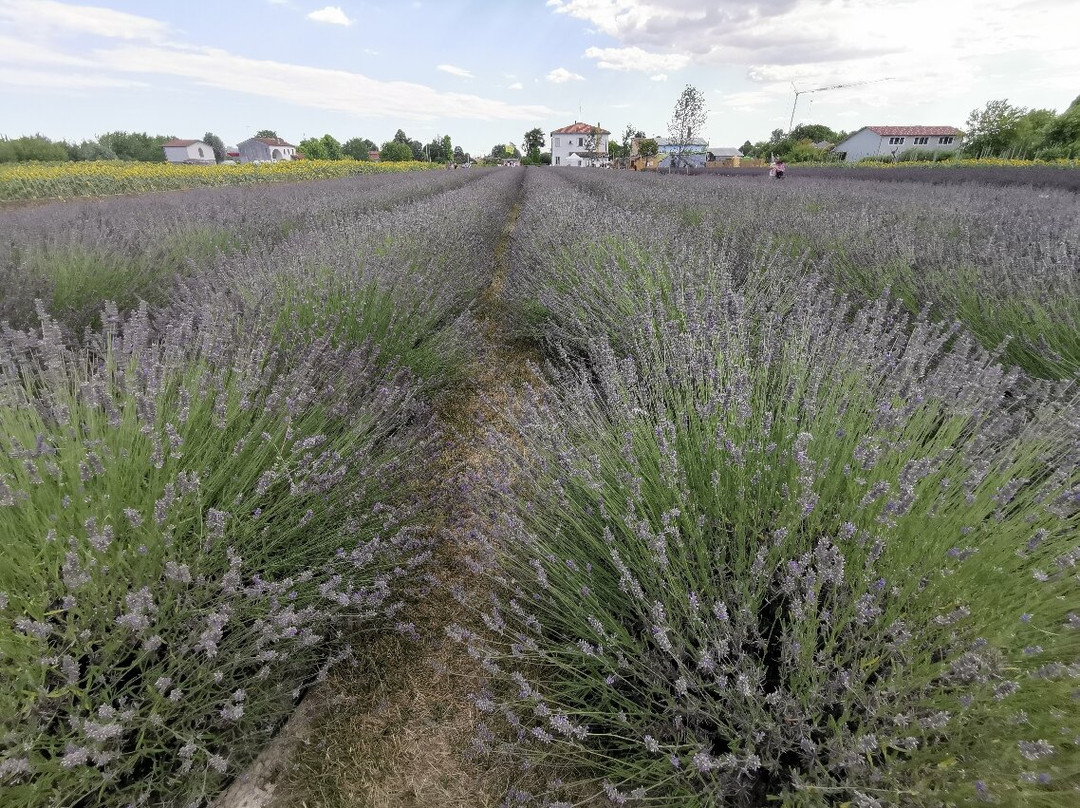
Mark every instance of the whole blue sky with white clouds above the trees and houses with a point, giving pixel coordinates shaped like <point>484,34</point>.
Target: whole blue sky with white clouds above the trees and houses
<point>485,73</point>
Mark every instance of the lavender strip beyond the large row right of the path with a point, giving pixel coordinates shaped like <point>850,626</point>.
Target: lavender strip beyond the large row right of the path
<point>1005,261</point>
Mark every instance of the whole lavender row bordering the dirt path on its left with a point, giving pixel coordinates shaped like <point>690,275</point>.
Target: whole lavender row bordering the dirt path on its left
<point>207,505</point>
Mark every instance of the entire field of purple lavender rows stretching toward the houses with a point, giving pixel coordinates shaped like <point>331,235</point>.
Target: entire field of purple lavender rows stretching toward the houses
<point>773,497</point>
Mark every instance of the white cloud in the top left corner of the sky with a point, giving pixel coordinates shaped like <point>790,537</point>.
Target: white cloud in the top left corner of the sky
<point>50,16</point>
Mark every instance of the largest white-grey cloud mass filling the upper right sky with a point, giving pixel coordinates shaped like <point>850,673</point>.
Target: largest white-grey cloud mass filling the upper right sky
<point>942,49</point>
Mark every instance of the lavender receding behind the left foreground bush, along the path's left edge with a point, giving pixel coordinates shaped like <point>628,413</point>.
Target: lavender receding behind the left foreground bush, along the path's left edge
<point>404,280</point>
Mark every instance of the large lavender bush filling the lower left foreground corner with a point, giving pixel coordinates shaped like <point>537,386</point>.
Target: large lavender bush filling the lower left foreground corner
<point>190,518</point>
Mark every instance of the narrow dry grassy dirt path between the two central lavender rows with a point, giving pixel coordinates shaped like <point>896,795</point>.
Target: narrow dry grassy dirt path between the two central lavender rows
<point>396,732</point>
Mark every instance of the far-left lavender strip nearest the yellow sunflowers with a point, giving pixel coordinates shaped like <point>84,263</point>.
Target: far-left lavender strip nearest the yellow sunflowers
<point>76,255</point>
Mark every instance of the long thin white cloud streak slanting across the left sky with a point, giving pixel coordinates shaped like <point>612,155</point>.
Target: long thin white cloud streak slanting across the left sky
<point>313,87</point>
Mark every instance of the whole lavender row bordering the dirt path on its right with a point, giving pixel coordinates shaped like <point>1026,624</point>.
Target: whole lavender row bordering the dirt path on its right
<point>759,542</point>
